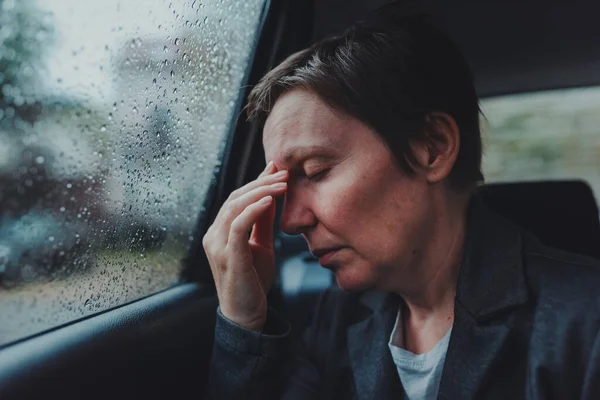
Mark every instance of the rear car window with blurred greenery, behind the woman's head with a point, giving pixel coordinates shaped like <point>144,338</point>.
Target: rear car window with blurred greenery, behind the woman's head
<point>543,136</point>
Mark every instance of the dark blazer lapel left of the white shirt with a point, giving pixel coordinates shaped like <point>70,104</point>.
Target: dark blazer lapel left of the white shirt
<point>375,374</point>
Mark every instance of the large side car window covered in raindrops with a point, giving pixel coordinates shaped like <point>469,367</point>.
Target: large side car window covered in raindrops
<point>114,115</point>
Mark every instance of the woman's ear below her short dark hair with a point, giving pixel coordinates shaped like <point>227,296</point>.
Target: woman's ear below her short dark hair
<point>436,153</point>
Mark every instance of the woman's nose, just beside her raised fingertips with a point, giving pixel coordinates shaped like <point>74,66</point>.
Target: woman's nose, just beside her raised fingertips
<point>297,216</point>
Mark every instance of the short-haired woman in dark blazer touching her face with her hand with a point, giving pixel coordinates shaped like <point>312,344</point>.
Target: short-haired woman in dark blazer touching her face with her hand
<point>374,142</point>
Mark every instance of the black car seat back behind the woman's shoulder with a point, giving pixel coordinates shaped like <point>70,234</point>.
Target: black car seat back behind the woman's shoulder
<point>562,214</point>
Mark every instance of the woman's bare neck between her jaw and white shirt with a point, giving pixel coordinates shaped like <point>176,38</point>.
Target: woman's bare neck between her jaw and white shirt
<point>433,277</point>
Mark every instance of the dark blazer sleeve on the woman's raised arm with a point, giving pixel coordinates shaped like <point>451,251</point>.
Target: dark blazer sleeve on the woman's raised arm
<point>252,365</point>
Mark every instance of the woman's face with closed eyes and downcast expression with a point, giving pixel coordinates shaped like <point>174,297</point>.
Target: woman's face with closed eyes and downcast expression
<point>346,192</point>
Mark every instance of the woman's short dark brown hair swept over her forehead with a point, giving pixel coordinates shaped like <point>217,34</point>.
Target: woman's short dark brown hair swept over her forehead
<point>390,73</point>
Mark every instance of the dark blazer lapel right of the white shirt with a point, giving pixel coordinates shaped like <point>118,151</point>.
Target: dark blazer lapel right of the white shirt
<point>491,283</point>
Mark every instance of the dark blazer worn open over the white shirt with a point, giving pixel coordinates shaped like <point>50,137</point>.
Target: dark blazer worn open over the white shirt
<point>526,327</point>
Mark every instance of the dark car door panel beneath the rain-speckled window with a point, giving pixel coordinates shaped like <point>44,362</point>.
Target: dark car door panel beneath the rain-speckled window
<point>156,347</point>
